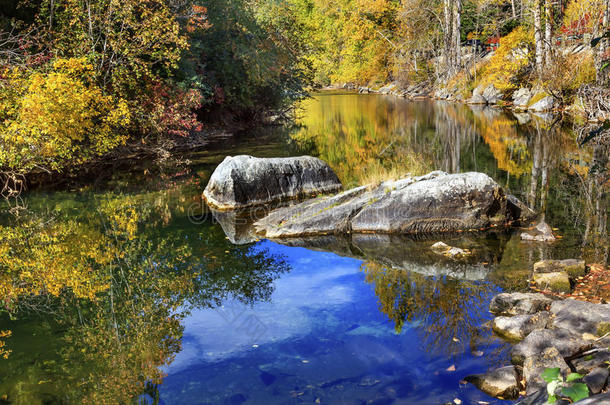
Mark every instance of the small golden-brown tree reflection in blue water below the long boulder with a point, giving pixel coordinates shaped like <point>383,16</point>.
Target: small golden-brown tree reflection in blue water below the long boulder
<point>447,311</point>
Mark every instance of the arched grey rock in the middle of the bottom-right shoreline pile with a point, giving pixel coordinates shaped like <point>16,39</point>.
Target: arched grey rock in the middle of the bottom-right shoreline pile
<point>567,342</point>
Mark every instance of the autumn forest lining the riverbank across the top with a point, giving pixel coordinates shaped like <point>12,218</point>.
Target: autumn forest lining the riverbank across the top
<point>81,79</point>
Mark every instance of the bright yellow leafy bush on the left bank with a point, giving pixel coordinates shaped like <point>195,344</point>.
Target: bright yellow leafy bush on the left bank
<point>60,115</point>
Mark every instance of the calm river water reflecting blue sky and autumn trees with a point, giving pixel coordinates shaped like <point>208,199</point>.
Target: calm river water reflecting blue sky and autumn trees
<point>163,308</point>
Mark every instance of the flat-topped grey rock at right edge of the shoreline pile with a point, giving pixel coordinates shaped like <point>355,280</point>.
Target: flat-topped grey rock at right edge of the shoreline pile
<point>580,316</point>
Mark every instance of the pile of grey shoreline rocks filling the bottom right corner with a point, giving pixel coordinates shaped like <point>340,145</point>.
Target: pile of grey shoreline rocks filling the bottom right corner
<point>571,335</point>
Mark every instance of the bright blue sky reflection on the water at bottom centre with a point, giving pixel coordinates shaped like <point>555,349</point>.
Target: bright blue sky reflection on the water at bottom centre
<point>322,337</point>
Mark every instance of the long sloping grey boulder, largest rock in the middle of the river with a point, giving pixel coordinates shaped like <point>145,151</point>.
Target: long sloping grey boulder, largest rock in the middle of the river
<point>436,202</point>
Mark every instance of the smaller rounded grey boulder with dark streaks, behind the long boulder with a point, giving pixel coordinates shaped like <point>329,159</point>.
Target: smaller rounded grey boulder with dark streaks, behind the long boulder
<point>245,181</point>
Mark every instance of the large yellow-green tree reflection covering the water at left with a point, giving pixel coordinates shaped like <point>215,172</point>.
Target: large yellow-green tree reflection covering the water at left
<point>106,292</point>
